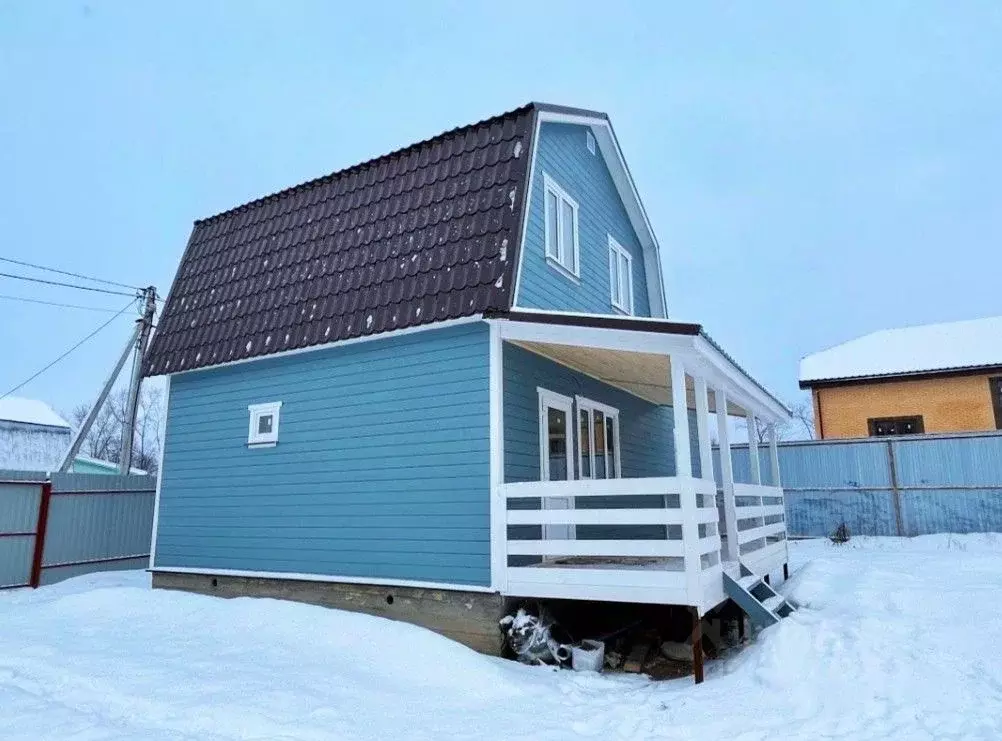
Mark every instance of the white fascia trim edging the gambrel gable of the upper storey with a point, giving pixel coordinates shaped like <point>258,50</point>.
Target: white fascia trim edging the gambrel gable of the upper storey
<point>629,194</point>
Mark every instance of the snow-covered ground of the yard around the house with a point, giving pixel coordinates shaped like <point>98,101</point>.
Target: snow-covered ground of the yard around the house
<point>898,640</point>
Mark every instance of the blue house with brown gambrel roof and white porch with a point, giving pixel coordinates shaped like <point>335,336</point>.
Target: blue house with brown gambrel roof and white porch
<point>446,379</point>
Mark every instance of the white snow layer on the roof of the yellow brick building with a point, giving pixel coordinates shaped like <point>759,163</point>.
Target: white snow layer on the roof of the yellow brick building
<point>912,350</point>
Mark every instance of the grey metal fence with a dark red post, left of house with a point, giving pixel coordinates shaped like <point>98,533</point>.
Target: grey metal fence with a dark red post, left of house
<point>58,526</point>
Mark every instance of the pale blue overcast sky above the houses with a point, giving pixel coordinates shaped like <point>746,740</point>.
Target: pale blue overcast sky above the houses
<point>814,172</point>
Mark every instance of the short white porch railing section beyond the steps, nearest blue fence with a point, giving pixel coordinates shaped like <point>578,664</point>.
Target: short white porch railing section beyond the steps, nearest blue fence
<point>762,527</point>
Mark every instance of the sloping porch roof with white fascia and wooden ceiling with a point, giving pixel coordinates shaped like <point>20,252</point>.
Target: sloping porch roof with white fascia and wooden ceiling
<point>635,354</point>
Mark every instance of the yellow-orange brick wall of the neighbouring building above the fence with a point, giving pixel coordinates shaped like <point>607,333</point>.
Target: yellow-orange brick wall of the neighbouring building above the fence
<point>947,405</point>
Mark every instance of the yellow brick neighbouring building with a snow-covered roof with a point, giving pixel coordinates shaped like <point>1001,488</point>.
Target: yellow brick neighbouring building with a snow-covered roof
<point>934,379</point>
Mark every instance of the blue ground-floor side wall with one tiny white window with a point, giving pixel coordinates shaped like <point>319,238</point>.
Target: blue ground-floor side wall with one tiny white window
<point>381,471</point>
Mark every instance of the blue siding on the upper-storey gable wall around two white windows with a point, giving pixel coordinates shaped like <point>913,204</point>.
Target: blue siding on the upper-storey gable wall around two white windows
<point>564,156</point>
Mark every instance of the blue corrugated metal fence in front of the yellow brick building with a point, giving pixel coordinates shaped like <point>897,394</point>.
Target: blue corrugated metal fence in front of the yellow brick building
<point>888,486</point>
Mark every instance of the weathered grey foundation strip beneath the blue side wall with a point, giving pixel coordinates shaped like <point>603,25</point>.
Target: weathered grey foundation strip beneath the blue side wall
<point>470,618</point>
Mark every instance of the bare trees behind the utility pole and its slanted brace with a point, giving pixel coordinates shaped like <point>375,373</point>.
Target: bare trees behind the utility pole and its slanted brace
<point>105,441</point>
